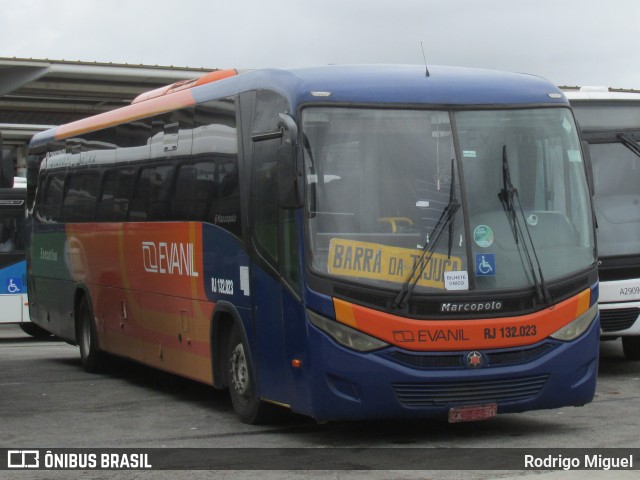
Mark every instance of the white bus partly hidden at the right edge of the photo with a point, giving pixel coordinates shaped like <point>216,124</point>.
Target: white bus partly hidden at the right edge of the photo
<point>610,123</point>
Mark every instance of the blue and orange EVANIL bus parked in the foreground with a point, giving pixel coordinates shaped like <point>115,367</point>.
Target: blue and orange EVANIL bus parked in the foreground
<point>347,242</point>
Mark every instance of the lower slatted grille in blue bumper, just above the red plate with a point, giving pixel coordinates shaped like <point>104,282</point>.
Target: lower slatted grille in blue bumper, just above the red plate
<point>446,393</point>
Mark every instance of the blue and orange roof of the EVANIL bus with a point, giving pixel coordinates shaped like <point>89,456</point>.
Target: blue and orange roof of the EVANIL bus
<point>376,84</point>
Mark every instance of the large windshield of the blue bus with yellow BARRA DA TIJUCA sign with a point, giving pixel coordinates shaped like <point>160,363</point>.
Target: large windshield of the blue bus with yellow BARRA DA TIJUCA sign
<point>381,183</point>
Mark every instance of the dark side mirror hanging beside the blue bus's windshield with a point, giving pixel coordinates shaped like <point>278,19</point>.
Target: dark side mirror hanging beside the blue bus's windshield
<point>290,185</point>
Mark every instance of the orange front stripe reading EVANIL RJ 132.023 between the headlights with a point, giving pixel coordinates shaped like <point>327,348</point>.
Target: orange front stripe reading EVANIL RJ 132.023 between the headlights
<point>449,335</point>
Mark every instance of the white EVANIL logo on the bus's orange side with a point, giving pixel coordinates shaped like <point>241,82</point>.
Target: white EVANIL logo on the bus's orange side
<point>170,258</point>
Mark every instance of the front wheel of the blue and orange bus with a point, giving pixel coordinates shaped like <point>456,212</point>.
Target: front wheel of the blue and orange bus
<point>242,387</point>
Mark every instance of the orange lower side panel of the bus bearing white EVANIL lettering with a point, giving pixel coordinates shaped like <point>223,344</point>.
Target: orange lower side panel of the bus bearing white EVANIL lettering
<point>147,289</point>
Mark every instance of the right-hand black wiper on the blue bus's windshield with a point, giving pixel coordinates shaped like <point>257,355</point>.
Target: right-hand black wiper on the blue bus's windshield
<point>508,197</point>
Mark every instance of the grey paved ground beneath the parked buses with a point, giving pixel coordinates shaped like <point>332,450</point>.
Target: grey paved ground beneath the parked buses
<point>48,401</point>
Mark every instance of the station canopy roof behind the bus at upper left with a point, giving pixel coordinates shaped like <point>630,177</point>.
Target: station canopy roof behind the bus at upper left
<point>38,94</point>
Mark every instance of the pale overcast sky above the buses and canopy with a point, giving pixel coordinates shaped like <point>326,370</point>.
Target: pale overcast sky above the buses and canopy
<point>570,42</point>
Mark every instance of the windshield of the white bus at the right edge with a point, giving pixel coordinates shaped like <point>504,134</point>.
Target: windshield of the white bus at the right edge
<point>616,175</point>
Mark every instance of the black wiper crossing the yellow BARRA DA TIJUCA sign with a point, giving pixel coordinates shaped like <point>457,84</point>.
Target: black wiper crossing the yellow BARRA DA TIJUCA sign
<point>446,219</point>
